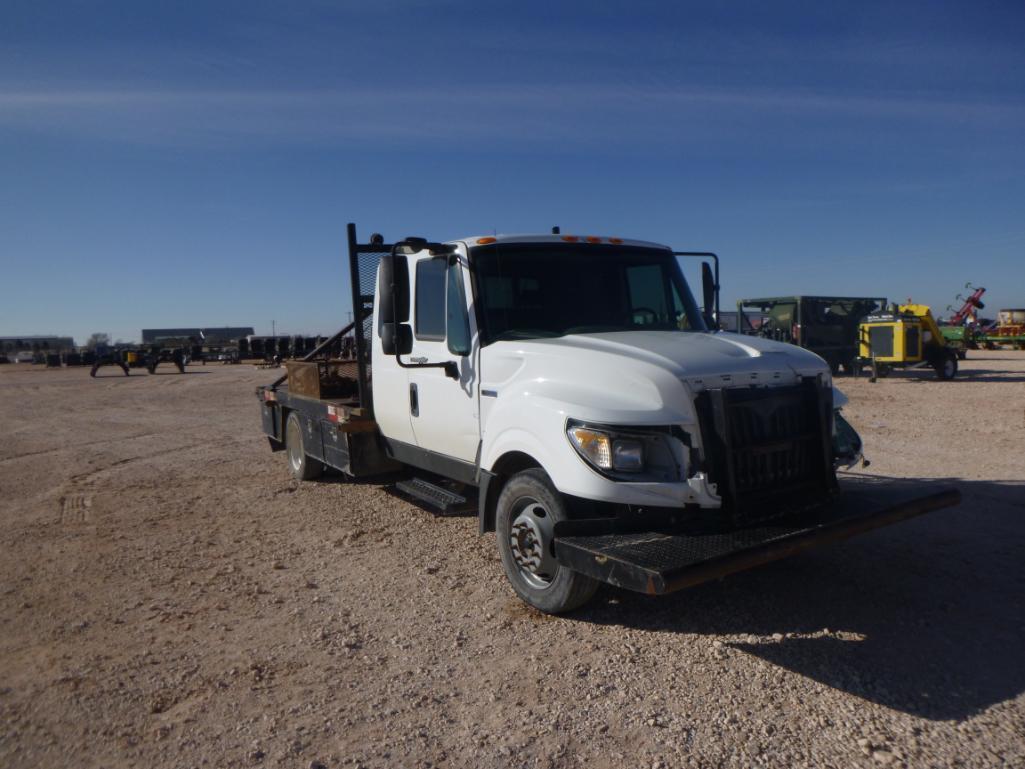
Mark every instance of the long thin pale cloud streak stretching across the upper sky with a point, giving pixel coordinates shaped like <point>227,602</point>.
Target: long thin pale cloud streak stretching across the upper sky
<point>520,114</point>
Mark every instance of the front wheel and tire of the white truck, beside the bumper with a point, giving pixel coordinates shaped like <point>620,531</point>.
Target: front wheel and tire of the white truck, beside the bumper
<point>527,511</point>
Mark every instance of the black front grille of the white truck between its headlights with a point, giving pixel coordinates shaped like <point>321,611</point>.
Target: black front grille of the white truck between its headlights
<point>768,449</point>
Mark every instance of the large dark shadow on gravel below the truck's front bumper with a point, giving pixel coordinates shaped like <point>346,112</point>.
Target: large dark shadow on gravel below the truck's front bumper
<point>927,618</point>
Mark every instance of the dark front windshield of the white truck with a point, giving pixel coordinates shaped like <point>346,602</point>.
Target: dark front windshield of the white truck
<point>551,290</point>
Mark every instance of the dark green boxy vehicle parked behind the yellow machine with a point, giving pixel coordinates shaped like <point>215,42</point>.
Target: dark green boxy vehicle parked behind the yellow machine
<point>827,326</point>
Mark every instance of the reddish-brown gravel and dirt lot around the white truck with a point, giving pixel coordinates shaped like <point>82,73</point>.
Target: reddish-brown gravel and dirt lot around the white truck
<point>172,598</point>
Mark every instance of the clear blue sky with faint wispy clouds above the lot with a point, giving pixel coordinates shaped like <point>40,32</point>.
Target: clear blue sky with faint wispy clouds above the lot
<point>167,165</point>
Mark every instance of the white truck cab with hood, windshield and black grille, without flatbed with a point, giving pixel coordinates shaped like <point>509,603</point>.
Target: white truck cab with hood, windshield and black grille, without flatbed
<point>588,362</point>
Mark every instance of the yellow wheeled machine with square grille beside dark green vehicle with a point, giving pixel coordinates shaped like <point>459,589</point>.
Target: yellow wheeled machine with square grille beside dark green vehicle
<point>906,337</point>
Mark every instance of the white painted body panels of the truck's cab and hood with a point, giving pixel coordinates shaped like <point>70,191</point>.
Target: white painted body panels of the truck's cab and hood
<point>518,396</point>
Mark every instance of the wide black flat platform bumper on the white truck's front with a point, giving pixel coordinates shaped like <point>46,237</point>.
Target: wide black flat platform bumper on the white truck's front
<point>666,560</point>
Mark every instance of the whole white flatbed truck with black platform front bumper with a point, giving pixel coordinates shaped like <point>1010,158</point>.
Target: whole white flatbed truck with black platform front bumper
<point>570,391</point>
